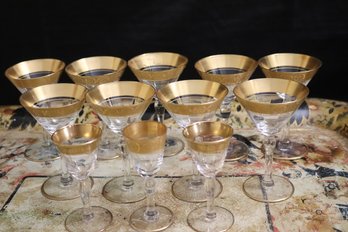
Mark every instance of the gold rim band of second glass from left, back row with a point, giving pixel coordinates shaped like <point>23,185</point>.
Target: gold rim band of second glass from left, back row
<point>115,66</point>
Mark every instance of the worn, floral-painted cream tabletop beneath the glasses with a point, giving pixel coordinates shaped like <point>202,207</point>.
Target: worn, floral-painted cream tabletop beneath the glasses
<point>319,203</point>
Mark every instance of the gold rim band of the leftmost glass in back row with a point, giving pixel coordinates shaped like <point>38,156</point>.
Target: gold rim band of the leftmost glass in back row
<point>54,67</point>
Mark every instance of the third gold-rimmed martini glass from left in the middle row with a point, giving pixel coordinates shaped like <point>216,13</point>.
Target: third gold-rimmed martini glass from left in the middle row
<point>187,102</point>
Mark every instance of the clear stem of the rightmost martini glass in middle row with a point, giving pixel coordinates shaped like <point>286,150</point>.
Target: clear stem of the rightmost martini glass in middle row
<point>269,144</point>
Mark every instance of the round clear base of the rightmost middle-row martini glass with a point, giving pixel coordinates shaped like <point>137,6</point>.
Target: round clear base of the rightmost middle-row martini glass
<point>280,191</point>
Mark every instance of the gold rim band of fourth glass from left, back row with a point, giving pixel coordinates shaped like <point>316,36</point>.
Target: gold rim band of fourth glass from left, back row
<point>246,63</point>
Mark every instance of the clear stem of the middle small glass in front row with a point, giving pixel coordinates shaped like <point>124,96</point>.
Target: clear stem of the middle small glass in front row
<point>150,213</point>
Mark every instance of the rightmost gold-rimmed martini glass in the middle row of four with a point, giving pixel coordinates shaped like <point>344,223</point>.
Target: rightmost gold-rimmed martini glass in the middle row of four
<point>270,102</point>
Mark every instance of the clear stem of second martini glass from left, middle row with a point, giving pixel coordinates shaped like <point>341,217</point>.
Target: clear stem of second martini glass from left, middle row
<point>127,182</point>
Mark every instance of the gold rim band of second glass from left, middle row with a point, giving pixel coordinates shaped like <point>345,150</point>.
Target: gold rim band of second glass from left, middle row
<point>122,88</point>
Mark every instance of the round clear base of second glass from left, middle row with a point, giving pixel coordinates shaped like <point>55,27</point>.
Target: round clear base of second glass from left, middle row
<point>115,191</point>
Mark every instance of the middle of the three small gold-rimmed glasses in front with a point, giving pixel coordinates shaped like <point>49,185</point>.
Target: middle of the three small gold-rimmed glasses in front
<point>145,142</point>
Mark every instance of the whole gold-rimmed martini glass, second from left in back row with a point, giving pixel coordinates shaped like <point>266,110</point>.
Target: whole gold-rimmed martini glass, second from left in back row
<point>93,71</point>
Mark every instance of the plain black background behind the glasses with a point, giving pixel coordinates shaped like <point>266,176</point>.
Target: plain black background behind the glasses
<point>70,30</point>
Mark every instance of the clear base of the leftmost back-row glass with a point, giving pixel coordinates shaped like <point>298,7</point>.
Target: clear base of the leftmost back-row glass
<point>37,152</point>
